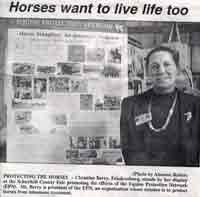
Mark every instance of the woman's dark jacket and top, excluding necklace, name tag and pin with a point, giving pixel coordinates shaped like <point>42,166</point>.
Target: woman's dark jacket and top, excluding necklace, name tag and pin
<point>178,145</point>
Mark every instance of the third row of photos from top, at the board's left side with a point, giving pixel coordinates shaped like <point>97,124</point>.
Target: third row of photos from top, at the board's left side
<point>28,88</point>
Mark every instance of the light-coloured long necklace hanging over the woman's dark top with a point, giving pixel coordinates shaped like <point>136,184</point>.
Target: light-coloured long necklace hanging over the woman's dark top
<point>170,113</point>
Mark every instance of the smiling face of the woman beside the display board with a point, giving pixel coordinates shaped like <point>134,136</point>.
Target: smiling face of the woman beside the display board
<point>162,69</point>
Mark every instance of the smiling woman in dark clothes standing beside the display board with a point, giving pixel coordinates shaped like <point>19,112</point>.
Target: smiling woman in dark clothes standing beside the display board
<point>161,126</point>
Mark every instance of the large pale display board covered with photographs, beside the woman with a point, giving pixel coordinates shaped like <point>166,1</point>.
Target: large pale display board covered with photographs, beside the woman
<point>64,93</point>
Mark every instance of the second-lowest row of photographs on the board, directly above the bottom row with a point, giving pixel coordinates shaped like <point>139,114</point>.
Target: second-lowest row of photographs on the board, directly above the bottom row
<point>97,142</point>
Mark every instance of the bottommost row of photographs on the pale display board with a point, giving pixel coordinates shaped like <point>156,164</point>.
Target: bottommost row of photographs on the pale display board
<point>92,156</point>
